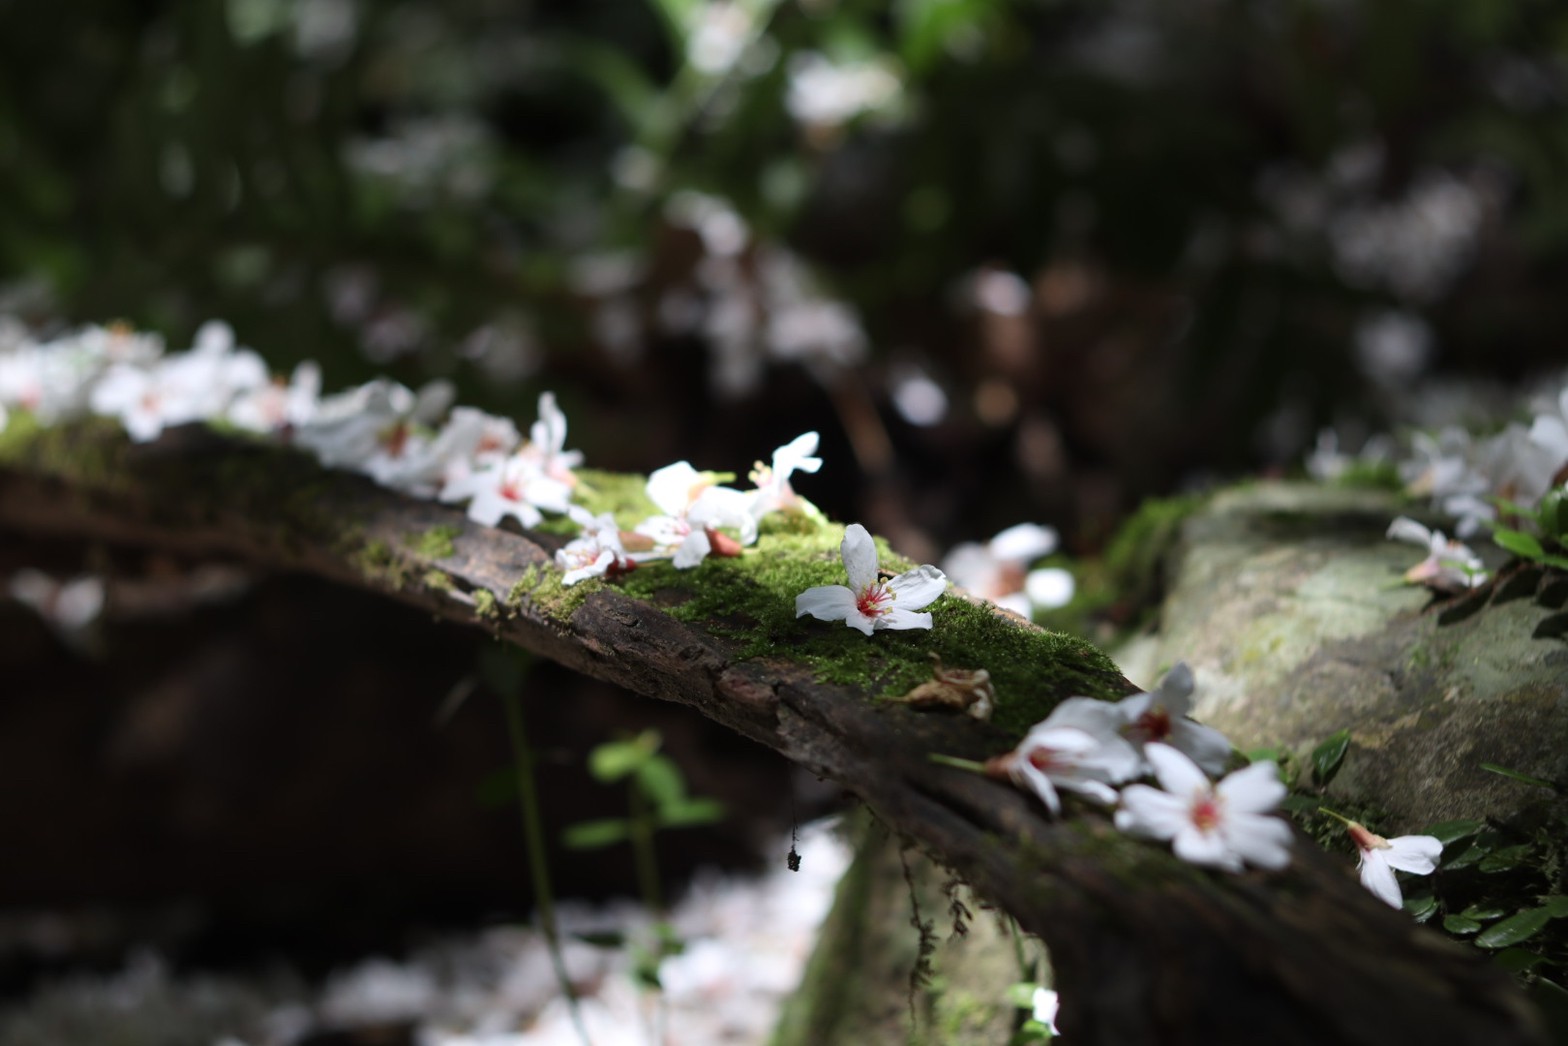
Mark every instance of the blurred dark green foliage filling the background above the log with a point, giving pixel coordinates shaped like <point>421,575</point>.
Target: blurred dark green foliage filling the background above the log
<point>1236,186</point>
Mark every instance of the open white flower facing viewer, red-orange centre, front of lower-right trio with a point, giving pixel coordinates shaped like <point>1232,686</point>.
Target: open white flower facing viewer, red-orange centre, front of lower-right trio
<point>1218,826</point>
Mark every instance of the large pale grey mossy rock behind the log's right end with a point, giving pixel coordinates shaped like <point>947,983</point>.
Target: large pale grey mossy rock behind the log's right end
<point>1287,601</point>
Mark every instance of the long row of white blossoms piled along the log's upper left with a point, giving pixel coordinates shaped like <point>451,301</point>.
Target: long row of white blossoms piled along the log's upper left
<point>412,441</point>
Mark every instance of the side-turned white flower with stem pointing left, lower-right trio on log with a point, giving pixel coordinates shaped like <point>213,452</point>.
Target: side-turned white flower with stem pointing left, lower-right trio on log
<point>1073,752</point>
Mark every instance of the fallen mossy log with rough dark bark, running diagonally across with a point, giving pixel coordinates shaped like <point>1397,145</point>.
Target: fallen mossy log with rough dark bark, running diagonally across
<point>1147,950</point>
